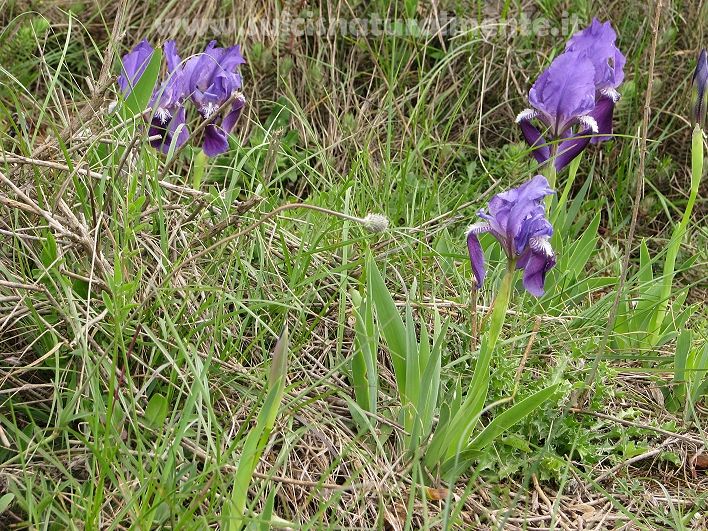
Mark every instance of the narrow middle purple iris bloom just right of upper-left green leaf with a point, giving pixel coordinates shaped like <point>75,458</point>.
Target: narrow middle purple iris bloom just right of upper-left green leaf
<point>168,105</point>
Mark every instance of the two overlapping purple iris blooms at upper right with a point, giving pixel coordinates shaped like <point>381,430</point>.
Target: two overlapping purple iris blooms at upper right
<point>574,98</point>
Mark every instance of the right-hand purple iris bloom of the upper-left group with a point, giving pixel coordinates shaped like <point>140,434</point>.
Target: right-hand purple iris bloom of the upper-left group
<point>212,79</point>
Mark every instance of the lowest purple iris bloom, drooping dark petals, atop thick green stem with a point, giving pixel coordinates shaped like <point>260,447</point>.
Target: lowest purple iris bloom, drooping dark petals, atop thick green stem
<point>517,219</point>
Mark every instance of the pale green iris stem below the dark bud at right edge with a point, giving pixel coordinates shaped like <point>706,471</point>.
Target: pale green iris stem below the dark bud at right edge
<point>679,233</point>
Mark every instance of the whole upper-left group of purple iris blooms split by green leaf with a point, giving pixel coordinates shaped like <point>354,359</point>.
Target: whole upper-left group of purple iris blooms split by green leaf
<point>209,80</point>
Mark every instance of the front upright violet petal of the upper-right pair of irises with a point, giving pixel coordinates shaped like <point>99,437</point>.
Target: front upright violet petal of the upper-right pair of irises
<point>564,91</point>
